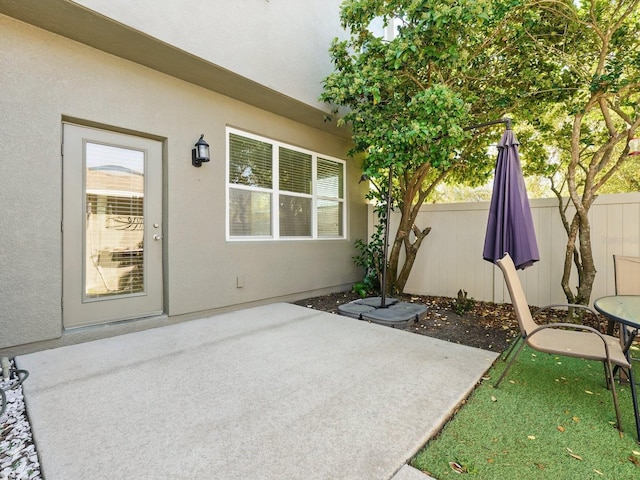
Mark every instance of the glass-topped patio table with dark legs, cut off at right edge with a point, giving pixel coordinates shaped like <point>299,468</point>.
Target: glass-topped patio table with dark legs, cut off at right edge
<point>624,310</point>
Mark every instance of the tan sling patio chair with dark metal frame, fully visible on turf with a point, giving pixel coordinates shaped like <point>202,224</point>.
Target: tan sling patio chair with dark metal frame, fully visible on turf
<point>567,339</point>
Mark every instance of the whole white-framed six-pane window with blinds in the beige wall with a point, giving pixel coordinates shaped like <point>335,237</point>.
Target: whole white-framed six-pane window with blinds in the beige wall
<point>277,191</point>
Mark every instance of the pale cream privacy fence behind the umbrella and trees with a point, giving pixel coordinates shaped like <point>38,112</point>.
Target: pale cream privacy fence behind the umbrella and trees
<point>450,258</point>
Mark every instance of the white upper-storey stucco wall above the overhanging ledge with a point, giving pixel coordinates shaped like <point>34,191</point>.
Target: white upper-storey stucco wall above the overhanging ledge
<point>245,36</point>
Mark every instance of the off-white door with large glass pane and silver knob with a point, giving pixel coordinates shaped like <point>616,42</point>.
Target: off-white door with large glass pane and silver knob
<point>112,226</point>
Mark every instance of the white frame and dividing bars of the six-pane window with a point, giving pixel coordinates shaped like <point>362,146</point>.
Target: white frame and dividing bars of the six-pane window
<point>275,191</point>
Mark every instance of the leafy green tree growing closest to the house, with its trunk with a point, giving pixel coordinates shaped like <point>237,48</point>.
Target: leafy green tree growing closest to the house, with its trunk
<point>409,100</point>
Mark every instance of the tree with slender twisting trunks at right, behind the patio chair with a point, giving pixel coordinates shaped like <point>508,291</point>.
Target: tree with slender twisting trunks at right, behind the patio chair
<point>588,118</point>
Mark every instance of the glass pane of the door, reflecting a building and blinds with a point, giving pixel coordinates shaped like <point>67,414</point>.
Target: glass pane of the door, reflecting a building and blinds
<point>114,226</point>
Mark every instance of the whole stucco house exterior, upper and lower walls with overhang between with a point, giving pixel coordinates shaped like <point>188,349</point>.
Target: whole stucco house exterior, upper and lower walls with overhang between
<point>168,71</point>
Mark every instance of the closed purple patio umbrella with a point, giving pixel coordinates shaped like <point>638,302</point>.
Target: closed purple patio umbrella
<point>510,226</point>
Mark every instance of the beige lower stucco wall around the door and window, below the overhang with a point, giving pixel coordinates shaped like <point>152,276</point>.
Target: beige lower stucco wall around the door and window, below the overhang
<point>45,79</point>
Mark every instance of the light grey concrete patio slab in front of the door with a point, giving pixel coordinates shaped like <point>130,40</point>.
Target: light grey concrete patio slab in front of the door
<point>273,392</point>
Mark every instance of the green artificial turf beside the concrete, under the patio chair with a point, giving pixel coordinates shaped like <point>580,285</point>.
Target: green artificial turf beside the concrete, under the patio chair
<point>551,418</point>
